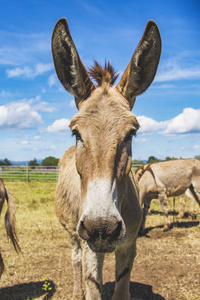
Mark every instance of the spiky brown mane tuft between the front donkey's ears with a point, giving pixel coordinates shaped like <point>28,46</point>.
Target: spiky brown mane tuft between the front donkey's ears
<point>103,74</point>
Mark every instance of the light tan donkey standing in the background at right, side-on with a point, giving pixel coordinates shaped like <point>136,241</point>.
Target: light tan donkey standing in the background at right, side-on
<point>167,179</point>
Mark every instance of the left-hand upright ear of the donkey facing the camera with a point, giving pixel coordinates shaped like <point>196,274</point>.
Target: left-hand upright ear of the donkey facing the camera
<point>69,67</point>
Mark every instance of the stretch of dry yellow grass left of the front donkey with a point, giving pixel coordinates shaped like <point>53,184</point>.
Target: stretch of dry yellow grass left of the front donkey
<point>46,253</point>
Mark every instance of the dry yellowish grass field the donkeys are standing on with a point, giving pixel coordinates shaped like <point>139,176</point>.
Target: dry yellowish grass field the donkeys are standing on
<point>167,265</point>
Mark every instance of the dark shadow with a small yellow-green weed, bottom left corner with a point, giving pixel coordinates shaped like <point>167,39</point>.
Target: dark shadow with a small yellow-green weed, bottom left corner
<point>29,291</point>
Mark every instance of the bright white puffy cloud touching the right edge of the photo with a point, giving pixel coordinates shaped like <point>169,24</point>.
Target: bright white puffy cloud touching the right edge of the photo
<point>186,122</point>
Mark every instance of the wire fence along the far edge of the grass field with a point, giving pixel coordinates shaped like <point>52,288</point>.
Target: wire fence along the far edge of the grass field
<point>37,173</point>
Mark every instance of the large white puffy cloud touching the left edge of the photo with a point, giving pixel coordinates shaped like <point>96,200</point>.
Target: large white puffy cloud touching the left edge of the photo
<point>19,115</point>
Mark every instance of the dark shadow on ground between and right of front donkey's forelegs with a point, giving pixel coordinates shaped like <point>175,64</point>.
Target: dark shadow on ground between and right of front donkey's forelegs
<point>138,291</point>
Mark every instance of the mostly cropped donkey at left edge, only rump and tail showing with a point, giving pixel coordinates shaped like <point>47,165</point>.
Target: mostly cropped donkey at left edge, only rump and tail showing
<point>9,220</point>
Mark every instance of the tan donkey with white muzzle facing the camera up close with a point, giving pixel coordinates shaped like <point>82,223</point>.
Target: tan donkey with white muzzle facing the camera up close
<point>97,196</point>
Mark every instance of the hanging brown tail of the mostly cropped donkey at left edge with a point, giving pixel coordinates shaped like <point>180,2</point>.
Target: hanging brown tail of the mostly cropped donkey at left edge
<point>10,221</point>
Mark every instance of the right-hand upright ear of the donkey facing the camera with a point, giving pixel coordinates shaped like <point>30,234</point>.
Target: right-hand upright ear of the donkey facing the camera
<point>143,65</point>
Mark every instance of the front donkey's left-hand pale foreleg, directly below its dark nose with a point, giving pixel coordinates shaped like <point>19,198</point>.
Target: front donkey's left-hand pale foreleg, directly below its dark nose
<point>92,265</point>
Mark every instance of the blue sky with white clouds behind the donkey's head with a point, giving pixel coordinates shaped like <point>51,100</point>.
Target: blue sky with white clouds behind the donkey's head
<point>35,110</point>
